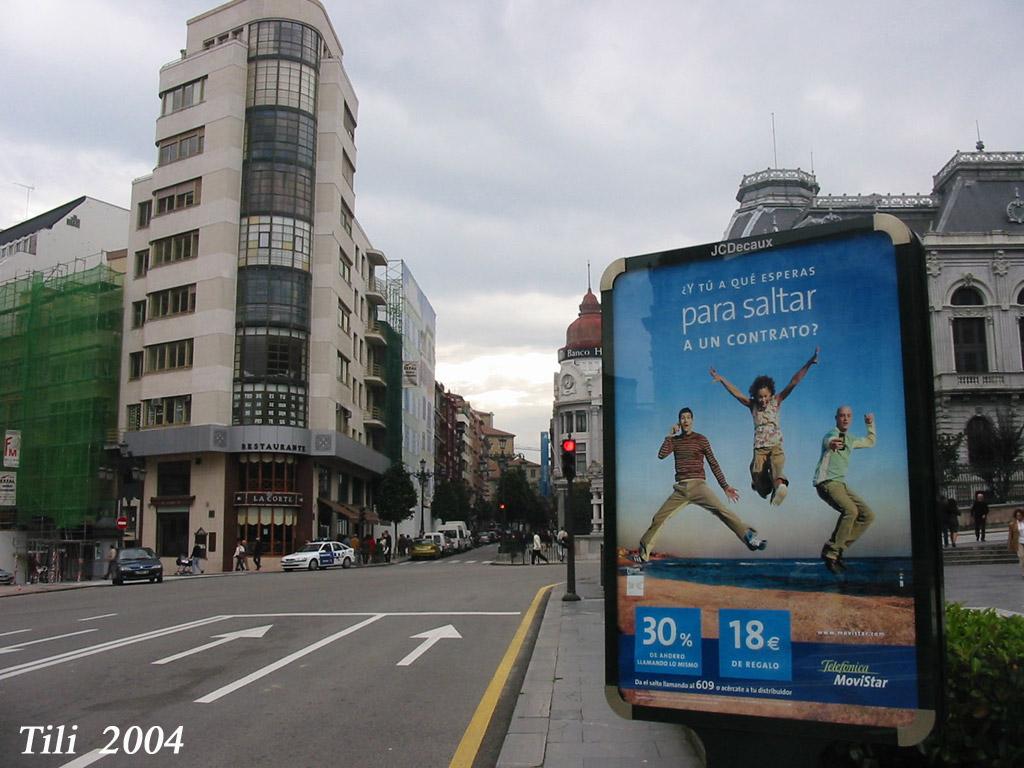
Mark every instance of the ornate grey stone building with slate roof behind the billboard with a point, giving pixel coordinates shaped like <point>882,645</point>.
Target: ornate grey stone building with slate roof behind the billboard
<point>972,228</point>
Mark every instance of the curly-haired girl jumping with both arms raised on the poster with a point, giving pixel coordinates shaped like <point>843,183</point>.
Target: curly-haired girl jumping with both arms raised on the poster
<point>767,466</point>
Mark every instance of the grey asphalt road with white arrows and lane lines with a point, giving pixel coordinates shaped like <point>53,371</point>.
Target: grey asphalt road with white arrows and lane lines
<point>327,671</point>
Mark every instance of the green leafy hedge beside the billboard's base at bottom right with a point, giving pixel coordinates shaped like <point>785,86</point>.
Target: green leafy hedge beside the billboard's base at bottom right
<point>985,727</point>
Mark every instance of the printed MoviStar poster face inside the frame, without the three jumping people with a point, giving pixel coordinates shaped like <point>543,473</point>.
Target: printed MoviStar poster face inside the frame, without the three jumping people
<point>708,624</point>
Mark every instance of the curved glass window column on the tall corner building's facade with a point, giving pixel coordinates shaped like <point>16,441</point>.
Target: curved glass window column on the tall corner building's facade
<point>272,346</point>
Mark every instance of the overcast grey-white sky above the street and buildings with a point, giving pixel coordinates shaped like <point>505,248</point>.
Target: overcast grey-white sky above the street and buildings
<point>502,146</point>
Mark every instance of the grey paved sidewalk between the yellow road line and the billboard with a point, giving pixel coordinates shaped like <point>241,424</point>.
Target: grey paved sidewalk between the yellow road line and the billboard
<point>563,719</point>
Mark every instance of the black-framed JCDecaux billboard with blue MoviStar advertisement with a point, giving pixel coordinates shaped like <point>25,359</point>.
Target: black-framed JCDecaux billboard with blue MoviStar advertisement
<point>770,436</point>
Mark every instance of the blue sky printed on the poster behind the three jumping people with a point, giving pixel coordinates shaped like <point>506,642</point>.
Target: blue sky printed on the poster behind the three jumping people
<point>762,313</point>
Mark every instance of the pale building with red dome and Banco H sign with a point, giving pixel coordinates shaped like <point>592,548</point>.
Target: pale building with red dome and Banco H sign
<point>578,413</point>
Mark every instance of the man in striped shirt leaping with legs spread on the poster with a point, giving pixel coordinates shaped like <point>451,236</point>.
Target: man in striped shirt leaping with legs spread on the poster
<point>691,450</point>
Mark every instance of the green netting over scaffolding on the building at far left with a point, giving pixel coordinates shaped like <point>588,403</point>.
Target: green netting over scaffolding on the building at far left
<point>61,355</point>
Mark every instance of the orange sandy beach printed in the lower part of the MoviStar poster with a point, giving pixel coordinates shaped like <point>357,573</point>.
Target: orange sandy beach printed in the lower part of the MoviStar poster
<point>815,618</point>
